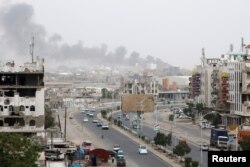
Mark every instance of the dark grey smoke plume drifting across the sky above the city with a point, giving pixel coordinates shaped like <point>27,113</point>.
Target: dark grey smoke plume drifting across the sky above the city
<point>17,28</point>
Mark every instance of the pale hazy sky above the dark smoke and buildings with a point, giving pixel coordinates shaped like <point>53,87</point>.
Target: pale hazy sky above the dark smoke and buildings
<point>172,30</point>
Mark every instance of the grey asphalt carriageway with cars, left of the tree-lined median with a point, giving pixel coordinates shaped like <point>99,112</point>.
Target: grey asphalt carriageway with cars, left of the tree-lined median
<point>112,137</point>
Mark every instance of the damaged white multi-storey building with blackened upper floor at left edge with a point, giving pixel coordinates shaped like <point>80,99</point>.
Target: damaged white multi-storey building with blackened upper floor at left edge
<point>22,97</point>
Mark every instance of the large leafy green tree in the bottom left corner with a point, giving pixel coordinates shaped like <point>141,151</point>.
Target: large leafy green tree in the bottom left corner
<point>17,150</point>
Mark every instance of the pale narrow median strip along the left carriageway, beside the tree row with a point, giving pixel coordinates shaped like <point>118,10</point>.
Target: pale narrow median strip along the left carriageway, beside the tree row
<point>169,160</point>
